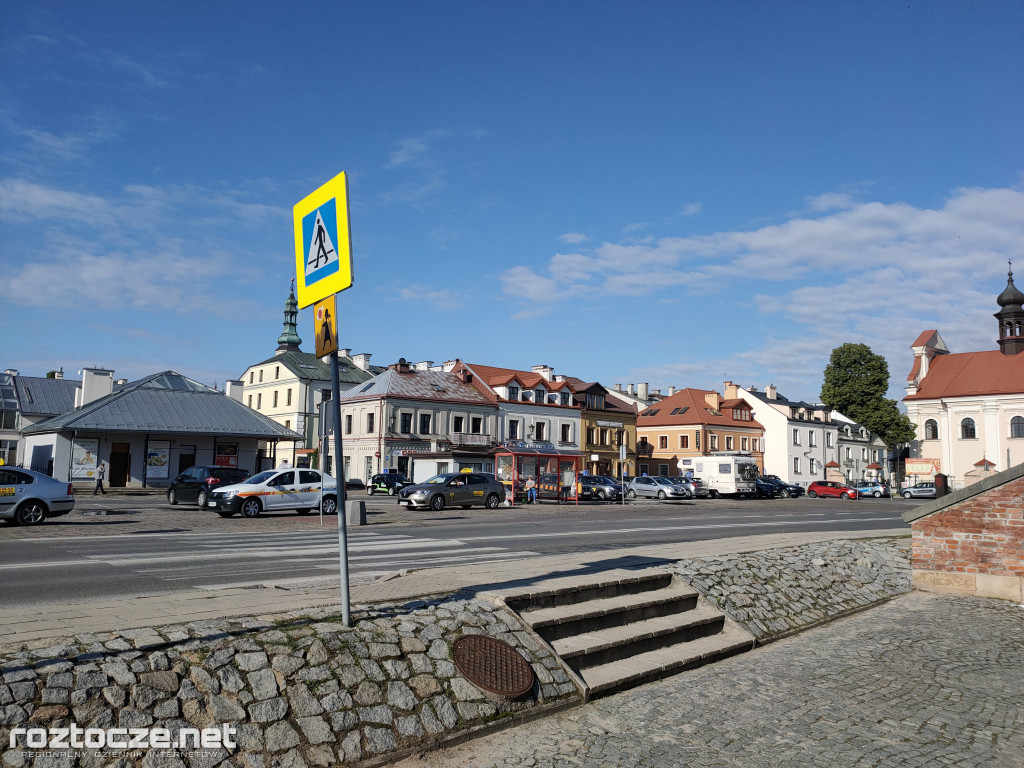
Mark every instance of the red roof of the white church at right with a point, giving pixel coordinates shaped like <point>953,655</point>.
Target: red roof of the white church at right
<point>971,374</point>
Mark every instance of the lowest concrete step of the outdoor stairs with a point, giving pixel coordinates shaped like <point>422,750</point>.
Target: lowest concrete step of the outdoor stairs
<point>655,665</point>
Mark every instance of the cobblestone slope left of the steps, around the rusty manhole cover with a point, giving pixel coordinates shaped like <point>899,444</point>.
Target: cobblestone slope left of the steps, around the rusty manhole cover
<point>300,693</point>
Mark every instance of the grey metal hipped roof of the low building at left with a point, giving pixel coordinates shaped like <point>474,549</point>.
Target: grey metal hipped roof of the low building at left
<point>167,403</point>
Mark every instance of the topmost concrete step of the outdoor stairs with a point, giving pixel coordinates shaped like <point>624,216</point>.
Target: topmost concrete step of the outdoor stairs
<point>572,590</point>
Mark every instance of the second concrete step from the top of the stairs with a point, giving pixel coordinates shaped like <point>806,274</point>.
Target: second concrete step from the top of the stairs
<point>568,620</point>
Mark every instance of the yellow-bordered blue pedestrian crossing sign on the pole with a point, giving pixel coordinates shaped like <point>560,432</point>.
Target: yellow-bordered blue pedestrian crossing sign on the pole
<point>323,251</point>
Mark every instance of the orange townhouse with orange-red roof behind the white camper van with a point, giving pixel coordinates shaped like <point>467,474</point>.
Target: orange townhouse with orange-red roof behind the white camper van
<point>694,423</point>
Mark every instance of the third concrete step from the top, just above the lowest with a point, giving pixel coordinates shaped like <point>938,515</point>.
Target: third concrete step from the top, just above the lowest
<point>616,644</point>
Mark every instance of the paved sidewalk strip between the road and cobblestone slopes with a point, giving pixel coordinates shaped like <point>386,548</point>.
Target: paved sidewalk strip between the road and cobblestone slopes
<point>36,629</point>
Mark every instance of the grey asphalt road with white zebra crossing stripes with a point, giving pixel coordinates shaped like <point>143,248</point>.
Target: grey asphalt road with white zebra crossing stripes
<point>131,546</point>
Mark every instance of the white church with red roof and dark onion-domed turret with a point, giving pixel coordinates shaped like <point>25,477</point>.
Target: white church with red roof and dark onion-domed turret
<point>969,407</point>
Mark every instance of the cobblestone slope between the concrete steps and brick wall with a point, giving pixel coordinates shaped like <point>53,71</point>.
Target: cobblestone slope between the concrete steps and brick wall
<point>778,592</point>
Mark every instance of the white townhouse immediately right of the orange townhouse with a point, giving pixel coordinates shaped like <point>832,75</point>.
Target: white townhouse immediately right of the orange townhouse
<point>800,439</point>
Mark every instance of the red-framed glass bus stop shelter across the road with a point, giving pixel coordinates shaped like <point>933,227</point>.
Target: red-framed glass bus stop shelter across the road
<point>560,471</point>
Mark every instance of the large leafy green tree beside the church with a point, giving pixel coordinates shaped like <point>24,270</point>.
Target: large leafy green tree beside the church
<point>856,385</point>
